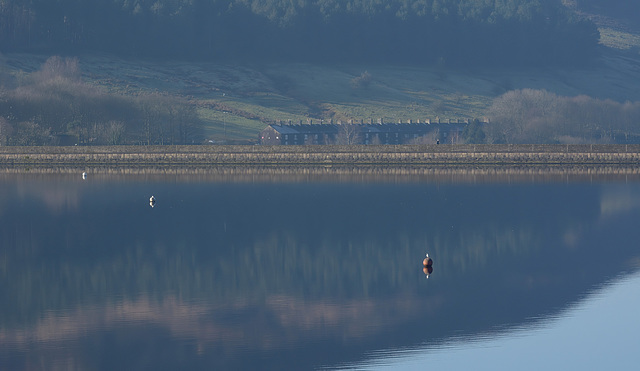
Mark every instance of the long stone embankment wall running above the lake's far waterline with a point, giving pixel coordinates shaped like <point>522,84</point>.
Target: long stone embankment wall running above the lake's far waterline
<point>403,155</point>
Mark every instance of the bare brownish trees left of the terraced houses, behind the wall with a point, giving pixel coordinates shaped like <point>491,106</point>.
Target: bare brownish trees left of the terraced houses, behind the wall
<point>54,106</point>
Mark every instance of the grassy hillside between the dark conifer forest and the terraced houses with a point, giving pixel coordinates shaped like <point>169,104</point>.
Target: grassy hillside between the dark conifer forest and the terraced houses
<point>236,102</point>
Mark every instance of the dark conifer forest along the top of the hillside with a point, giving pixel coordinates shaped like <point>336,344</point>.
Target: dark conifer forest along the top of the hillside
<point>454,32</point>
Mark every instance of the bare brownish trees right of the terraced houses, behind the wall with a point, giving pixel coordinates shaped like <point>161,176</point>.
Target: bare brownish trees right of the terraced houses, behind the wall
<point>539,116</point>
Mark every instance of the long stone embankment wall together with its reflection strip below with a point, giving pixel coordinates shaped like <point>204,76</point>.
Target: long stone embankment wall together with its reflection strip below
<point>421,164</point>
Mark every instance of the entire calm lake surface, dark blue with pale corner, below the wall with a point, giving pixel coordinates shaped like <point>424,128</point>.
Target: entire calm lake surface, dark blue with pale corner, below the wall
<point>272,273</point>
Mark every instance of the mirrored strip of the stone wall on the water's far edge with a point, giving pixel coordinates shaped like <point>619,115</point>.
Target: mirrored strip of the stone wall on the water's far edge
<point>348,173</point>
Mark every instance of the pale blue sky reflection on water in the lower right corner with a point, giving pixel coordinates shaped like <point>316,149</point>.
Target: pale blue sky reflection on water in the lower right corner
<point>601,331</point>
